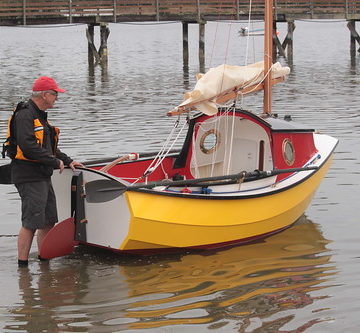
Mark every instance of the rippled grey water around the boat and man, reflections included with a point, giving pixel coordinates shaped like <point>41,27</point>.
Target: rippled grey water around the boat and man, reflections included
<point>303,279</point>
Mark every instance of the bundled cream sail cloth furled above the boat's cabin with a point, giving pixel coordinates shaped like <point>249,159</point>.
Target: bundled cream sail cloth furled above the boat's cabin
<point>224,77</point>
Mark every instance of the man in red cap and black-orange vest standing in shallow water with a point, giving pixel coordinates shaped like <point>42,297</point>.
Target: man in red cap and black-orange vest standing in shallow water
<point>33,162</point>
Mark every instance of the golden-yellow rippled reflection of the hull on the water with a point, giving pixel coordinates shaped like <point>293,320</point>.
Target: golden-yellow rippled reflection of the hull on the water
<point>241,283</point>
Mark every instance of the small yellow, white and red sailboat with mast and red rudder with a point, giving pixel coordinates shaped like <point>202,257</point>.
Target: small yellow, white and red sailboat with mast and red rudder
<point>238,177</point>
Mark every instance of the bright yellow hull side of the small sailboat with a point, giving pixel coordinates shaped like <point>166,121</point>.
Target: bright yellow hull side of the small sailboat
<point>162,221</point>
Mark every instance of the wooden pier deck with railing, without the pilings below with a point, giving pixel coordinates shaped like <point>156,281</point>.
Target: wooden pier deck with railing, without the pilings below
<point>30,12</point>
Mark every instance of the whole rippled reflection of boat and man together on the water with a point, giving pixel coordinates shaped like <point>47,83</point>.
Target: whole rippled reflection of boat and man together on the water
<point>97,291</point>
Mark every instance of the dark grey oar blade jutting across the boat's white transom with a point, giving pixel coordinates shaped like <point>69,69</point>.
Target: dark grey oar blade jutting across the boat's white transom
<point>103,190</point>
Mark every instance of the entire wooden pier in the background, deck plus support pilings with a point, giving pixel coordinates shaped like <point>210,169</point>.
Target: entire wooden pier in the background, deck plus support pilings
<point>99,13</point>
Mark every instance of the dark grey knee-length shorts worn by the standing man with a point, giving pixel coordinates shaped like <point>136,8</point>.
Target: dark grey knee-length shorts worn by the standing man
<point>38,204</point>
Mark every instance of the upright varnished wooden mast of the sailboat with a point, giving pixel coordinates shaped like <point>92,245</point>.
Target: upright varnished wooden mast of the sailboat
<point>268,18</point>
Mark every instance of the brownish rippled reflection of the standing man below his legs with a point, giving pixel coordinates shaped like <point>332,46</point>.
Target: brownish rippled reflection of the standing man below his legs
<point>42,293</point>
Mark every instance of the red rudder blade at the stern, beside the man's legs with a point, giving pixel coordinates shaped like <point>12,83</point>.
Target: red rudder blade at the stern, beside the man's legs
<point>59,241</point>
